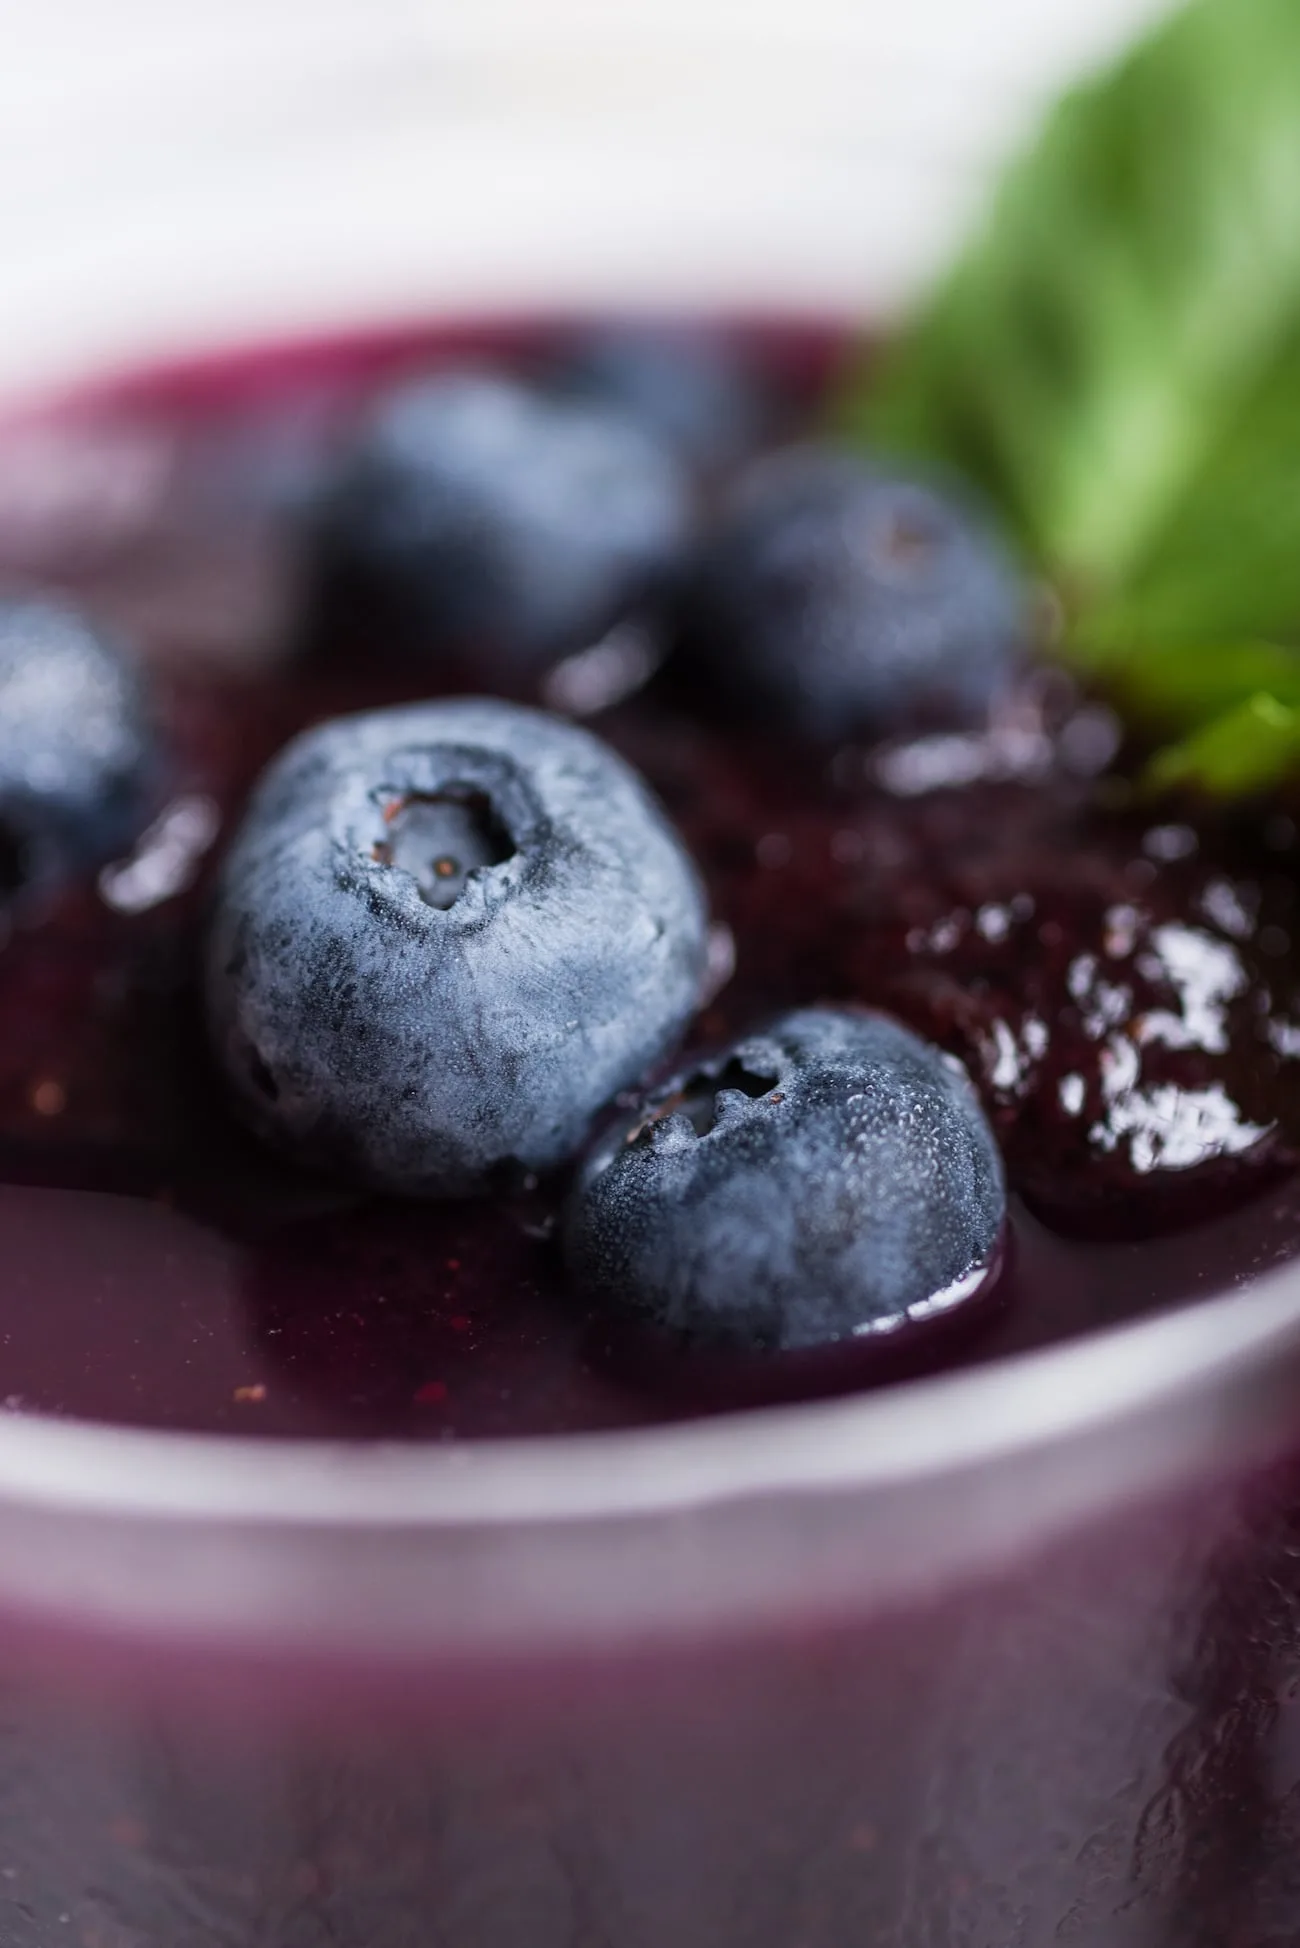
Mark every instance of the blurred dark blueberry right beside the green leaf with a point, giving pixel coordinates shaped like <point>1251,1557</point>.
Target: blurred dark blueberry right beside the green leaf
<point>841,597</point>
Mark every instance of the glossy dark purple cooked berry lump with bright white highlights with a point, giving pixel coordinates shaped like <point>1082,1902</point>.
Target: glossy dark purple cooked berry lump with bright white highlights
<point>1137,1051</point>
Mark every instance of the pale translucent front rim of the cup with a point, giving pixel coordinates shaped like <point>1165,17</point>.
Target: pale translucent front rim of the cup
<point>870,1442</point>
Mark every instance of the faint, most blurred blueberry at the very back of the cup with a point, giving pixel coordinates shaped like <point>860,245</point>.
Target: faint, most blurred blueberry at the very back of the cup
<point>687,387</point>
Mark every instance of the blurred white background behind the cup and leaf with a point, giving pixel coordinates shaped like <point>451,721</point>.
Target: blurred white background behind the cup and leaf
<point>176,174</point>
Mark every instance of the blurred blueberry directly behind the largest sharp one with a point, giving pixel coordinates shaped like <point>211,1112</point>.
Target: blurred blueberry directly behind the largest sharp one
<point>502,525</point>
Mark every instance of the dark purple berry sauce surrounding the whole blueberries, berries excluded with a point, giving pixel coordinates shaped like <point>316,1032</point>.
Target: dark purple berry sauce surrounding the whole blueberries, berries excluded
<point>1120,977</point>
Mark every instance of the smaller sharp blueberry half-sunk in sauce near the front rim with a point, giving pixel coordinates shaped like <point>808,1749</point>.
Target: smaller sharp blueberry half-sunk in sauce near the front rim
<point>823,1181</point>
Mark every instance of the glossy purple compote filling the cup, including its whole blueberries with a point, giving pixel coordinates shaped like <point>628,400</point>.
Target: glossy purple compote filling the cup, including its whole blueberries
<point>1053,1018</point>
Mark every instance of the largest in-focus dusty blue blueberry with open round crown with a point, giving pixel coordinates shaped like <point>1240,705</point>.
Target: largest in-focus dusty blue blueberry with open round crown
<point>445,938</point>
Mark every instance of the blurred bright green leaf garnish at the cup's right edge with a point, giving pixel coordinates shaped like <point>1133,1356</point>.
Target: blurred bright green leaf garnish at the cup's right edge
<point>1118,363</point>
